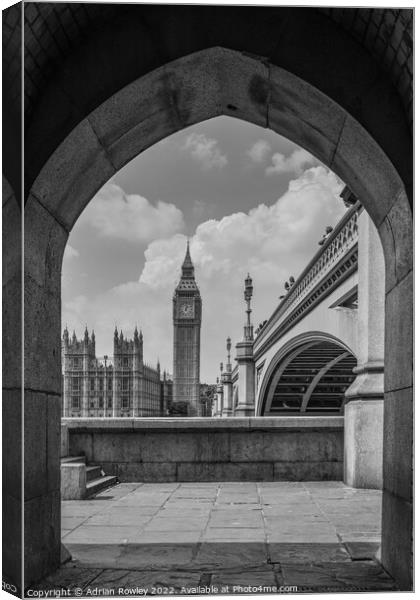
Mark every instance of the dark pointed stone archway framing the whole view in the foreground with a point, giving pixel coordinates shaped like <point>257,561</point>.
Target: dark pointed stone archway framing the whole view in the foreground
<point>191,89</point>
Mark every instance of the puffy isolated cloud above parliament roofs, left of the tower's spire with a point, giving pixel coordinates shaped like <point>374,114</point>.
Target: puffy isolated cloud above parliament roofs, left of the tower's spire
<point>115,214</point>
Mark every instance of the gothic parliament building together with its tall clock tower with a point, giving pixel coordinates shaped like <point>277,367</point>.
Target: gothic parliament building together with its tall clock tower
<point>124,385</point>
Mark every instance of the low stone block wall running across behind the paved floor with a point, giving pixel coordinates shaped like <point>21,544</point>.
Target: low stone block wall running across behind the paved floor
<point>239,449</point>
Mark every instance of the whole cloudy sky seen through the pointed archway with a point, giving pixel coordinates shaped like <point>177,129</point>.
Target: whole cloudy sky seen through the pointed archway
<point>248,199</point>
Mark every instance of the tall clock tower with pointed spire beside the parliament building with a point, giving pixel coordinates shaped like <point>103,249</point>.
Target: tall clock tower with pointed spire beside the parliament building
<point>187,324</point>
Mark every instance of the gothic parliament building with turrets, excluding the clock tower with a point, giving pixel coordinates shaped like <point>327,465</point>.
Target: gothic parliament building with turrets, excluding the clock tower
<point>123,387</point>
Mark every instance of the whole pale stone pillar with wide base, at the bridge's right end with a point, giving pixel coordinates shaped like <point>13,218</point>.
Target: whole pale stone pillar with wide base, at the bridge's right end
<point>363,411</point>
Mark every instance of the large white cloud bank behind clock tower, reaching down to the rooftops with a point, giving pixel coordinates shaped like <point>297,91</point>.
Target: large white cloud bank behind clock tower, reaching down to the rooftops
<point>271,242</point>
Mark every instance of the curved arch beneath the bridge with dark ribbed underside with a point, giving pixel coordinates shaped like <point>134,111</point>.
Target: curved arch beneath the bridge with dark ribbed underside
<point>308,375</point>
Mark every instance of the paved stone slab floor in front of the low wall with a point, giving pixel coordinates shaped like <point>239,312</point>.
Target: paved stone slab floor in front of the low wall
<point>200,538</point>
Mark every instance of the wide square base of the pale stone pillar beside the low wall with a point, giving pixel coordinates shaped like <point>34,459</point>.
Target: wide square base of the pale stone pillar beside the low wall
<point>363,443</point>
